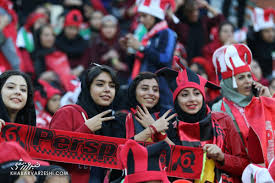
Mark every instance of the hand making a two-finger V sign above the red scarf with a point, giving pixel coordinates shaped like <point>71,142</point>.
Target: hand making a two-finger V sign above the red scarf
<point>95,123</point>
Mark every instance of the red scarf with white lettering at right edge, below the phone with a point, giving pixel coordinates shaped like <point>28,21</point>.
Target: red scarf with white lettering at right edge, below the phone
<point>261,116</point>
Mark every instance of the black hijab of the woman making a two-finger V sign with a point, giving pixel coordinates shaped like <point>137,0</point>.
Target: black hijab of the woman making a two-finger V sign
<point>85,99</point>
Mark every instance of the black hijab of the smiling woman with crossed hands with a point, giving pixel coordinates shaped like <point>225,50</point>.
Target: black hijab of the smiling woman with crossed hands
<point>132,91</point>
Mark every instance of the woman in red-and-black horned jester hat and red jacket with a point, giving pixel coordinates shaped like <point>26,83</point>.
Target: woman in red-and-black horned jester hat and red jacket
<point>197,126</point>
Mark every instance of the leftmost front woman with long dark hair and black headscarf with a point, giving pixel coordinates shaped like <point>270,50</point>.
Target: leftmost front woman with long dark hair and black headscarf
<point>16,99</point>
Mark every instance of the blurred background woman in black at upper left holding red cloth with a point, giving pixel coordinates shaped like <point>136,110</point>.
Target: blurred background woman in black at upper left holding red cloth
<point>49,63</point>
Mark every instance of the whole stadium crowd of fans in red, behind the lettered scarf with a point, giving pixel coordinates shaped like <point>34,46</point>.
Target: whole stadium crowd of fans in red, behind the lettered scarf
<point>194,73</point>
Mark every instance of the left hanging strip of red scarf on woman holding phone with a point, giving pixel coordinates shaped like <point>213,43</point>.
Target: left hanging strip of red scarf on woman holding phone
<point>240,118</point>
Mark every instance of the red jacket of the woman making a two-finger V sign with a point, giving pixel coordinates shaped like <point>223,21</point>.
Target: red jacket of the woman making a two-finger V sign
<point>70,118</point>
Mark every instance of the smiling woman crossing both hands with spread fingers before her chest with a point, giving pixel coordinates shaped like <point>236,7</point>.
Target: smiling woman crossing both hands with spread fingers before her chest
<point>142,123</point>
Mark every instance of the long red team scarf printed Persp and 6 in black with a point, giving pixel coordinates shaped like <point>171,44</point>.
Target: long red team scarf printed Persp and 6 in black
<point>93,150</point>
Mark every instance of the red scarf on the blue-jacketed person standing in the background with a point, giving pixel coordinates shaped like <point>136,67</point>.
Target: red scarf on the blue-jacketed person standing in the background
<point>139,55</point>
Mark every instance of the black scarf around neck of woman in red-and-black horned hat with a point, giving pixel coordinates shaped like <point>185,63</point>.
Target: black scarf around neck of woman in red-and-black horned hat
<point>191,118</point>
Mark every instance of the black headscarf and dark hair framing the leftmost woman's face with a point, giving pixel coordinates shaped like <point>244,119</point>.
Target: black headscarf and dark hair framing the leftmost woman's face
<point>26,115</point>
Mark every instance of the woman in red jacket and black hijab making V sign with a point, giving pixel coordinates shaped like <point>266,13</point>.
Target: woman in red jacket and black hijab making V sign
<point>91,114</point>
